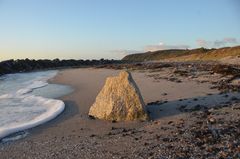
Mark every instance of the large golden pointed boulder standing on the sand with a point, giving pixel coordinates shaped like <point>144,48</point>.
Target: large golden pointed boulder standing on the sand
<point>119,100</point>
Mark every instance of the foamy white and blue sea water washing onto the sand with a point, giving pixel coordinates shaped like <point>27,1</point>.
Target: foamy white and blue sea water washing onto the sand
<point>28,100</point>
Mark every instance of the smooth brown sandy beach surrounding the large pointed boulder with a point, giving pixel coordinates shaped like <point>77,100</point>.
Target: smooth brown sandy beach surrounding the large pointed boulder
<point>73,134</point>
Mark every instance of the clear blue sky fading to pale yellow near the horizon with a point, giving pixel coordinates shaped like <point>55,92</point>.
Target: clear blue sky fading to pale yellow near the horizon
<point>91,29</point>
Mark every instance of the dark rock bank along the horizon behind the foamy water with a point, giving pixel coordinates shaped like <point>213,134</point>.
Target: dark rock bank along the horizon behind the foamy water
<point>26,65</point>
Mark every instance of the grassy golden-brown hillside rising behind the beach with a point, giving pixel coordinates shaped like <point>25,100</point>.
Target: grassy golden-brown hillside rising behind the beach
<point>186,55</point>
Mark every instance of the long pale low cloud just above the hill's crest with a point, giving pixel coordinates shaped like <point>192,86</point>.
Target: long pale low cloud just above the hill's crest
<point>162,46</point>
